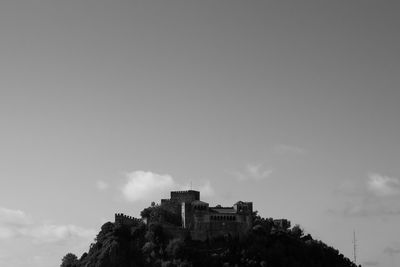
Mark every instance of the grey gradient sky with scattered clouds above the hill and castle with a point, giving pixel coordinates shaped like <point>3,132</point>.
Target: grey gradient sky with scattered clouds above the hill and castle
<point>106,106</point>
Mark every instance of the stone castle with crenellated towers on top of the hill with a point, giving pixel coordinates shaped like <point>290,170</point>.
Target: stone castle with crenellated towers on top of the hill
<point>201,220</point>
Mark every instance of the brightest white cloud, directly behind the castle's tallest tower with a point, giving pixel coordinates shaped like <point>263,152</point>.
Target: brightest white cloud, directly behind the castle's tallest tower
<point>144,185</point>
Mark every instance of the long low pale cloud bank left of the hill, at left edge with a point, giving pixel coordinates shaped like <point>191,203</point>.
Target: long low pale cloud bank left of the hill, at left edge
<point>16,223</point>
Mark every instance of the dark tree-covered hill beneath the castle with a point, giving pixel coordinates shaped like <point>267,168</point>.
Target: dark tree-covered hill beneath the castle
<point>151,245</point>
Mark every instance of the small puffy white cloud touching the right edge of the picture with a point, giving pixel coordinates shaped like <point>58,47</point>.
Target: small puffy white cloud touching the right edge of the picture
<point>382,186</point>
